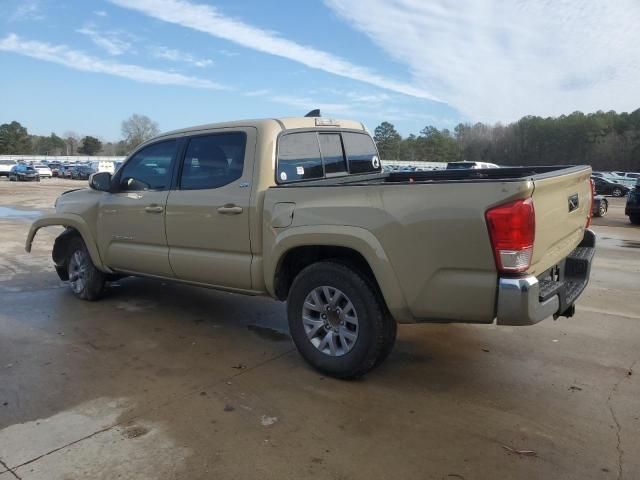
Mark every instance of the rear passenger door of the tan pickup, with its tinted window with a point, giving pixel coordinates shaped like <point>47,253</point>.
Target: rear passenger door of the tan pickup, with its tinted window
<point>207,215</point>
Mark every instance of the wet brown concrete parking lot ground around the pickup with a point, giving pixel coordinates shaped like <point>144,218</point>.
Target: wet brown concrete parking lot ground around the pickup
<point>164,381</point>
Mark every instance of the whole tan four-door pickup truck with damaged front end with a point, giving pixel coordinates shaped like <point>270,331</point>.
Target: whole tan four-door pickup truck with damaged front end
<point>300,209</point>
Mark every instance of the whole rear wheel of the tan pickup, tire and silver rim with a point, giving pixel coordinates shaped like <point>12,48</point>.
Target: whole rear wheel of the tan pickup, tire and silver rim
<point>338,321</point>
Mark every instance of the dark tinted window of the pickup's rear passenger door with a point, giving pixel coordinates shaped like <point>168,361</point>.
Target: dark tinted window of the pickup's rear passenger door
<point>212,161</point>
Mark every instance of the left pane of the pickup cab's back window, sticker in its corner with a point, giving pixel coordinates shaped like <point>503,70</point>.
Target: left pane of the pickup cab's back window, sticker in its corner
<point>299,157</point>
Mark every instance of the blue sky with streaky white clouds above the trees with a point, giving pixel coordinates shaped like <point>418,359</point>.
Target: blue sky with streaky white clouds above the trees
<point>84,66</point>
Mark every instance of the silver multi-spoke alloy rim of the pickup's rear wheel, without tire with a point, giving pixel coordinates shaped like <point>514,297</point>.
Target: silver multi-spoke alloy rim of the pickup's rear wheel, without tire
<point>330,321</point>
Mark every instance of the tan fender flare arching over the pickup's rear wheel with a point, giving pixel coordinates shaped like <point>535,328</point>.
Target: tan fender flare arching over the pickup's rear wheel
<point>354,238</point>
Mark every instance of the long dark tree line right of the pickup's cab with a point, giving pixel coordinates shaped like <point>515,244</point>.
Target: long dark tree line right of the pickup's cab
<point>604,140</point>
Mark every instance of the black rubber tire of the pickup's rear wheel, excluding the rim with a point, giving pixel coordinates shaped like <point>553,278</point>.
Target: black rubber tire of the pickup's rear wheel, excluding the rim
<point>376,328</point>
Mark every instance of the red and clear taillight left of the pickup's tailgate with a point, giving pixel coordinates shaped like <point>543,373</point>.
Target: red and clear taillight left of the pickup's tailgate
<point>512,229</point>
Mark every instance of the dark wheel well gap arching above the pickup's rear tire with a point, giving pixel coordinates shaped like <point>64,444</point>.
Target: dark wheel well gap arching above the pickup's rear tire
<point>300,257</point>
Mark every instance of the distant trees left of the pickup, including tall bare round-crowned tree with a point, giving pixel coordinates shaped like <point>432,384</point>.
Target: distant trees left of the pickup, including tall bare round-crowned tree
<point>16,140</point>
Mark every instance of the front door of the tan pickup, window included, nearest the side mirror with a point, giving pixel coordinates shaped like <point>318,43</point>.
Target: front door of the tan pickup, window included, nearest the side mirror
<point>131,224</point>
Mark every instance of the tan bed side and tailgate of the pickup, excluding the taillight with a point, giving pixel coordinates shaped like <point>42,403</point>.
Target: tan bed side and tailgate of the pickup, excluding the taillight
<point>430,227</point>
